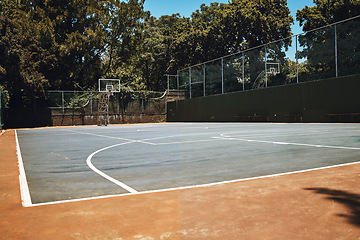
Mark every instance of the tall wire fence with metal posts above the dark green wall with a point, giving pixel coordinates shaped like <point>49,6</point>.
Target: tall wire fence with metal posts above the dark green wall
<point>330,51</point>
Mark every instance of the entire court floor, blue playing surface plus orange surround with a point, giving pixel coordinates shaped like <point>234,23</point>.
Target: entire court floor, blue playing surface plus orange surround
<point>181,181</point>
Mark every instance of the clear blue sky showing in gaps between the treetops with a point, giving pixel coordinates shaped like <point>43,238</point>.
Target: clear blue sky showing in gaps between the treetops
<point>186,7</point>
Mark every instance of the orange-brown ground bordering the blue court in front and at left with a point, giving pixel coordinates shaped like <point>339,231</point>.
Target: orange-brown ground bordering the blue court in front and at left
<point>322,204</point>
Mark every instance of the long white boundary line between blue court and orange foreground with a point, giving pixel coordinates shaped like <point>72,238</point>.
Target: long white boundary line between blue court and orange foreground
<point>193,186</point>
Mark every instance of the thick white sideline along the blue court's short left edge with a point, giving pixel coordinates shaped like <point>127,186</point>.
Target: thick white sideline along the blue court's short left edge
<point>24,188</point>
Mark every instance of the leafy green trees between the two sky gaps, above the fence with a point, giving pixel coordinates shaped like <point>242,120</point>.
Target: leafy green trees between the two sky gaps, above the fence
<point>173,42</point>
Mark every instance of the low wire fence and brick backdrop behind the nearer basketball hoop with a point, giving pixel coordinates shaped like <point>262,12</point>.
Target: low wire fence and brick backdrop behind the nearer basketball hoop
<point>82,107</point>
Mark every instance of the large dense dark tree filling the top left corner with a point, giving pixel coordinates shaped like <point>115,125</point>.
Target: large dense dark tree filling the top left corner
<point>56,44</point>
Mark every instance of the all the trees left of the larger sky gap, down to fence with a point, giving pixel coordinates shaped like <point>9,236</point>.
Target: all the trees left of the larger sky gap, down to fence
<point>62,44</point>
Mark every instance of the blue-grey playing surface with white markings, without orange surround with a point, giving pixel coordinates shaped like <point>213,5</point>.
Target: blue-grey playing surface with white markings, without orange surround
<point>84,162</point>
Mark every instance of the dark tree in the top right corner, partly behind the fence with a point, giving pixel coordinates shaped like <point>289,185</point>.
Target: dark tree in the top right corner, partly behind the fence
<point>319,45</point>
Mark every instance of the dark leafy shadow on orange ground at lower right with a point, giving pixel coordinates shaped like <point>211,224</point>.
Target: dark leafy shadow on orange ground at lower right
<point>350,200</point>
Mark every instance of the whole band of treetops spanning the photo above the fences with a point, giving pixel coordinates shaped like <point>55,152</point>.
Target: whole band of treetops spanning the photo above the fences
<point>69,44</point>
